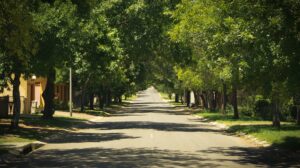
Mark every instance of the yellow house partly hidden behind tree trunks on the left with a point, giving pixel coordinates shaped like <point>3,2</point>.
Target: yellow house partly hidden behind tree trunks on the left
<point>31,93</point>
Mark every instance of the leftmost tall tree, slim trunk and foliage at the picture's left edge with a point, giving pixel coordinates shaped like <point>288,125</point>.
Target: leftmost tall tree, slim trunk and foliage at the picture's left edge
<point>16,47</point>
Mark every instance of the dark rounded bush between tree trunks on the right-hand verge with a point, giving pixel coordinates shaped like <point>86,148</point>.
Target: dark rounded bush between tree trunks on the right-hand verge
<point>262,109</point>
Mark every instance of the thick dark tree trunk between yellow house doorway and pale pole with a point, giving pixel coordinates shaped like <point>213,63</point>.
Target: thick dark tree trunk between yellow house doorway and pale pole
<point>48,95</point>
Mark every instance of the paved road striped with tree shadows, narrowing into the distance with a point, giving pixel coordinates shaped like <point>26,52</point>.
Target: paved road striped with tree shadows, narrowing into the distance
<point>148,133</point>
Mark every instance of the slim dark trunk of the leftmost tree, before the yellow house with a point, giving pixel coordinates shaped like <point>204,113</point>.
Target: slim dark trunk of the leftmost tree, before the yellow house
<point>17,101</point>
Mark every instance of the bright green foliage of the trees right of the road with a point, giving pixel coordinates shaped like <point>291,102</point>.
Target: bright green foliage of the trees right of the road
<point>240,43</point>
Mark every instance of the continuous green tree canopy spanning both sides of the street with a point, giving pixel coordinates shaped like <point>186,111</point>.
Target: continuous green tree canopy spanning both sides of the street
<point>118,47</point>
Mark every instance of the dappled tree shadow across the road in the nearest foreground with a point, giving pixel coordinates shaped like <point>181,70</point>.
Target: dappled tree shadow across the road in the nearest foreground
<point>146,157</point>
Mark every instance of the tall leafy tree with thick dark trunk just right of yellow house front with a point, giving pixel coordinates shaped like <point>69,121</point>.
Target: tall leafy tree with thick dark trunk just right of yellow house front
<point>55,22</point>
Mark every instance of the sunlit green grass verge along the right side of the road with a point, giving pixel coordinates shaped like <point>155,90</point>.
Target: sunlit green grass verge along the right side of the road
<point>287,137</point>
